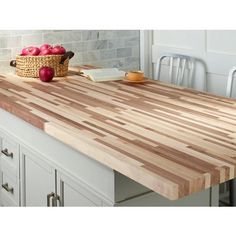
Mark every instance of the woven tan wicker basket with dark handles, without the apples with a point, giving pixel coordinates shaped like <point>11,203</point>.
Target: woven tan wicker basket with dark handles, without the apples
<point>28,66</point>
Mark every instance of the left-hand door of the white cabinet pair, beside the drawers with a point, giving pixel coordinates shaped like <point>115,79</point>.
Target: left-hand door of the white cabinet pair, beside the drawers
<point>38,179</point>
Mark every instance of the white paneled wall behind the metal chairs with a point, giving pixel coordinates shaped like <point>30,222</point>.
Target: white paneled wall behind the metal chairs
<point>217,48</point>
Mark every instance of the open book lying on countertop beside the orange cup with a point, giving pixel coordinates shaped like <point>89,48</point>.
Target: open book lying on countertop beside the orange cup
<point>106,74</point>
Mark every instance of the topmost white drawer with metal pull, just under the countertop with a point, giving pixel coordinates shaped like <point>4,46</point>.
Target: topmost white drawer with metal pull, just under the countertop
<point>10,154</point>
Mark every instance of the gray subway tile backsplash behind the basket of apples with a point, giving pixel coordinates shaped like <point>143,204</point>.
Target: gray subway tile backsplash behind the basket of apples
<point>106,48</point>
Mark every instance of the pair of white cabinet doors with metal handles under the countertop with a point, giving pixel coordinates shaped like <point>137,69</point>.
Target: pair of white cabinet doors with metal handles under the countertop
<point>43,185</point>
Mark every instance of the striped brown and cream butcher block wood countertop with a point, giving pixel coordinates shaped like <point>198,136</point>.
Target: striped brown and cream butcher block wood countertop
<point>173,140</point>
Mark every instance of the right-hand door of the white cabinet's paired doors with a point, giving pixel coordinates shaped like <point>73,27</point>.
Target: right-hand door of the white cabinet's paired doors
<point>74,193</point>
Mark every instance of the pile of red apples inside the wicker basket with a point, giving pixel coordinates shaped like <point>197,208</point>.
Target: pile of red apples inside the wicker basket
<point>45,49</point>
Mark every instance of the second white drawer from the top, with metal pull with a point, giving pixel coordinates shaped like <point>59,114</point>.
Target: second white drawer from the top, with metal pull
<point>9,188</point>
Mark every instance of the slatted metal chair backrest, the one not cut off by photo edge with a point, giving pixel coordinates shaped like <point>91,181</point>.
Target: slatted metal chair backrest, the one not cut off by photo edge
<point>182,64</point>
